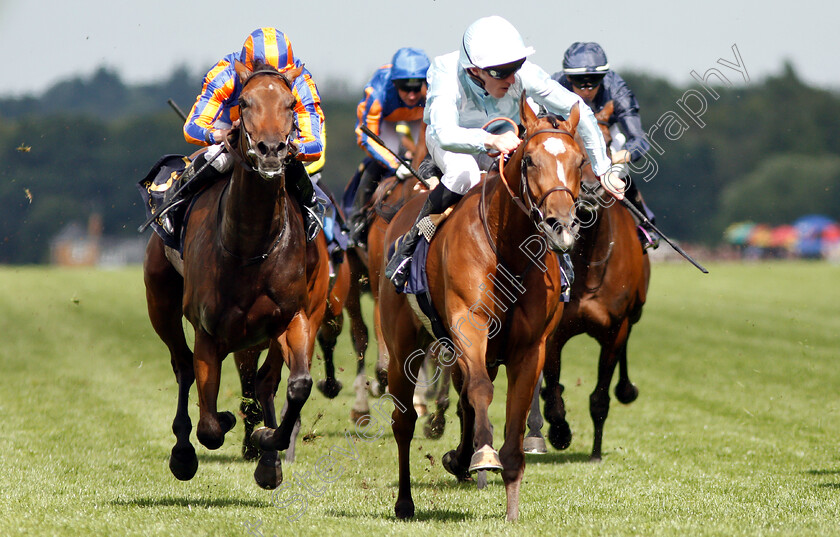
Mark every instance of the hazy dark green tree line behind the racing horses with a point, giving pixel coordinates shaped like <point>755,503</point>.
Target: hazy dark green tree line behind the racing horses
<point>767,152</point>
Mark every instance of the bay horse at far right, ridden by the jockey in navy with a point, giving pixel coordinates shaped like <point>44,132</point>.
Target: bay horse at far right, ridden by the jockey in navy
<point>612,275</point>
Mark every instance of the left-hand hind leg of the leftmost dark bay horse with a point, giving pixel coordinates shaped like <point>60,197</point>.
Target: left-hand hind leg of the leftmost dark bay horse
<point>164,295</point>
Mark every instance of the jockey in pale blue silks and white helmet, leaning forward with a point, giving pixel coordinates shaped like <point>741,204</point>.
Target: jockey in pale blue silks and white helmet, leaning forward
<point>467,88</point>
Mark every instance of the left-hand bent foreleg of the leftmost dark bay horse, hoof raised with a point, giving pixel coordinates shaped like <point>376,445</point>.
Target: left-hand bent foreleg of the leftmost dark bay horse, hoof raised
<point>207,362</point>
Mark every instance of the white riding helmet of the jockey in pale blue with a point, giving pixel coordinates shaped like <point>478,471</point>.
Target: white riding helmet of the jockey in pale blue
<point>491,41</point>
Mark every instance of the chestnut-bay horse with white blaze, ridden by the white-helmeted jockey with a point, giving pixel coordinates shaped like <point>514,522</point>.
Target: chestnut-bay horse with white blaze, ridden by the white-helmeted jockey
<point>500,303</point>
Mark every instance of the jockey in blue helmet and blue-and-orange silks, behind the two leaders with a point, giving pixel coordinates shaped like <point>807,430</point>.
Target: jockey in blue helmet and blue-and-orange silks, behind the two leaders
<point>395,94</point>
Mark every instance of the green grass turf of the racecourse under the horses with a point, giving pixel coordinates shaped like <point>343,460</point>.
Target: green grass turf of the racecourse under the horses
<point>736,430</point>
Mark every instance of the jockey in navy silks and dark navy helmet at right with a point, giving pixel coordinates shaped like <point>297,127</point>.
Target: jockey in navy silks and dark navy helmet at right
<point>587,72</point>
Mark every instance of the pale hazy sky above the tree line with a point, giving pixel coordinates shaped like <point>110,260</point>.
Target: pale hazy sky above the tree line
<point>44,42</point>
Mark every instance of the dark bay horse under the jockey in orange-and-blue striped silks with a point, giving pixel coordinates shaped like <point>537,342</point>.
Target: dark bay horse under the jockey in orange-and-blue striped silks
<point>247,275</point>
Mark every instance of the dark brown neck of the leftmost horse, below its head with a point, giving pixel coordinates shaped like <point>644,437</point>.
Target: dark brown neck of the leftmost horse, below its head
<point>253,213</point>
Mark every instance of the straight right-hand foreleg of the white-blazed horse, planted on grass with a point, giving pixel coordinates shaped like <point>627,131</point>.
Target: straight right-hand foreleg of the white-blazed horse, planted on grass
<point>522,380</point>
